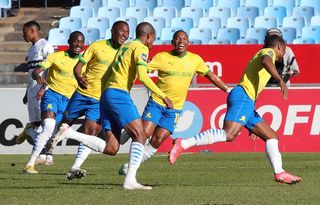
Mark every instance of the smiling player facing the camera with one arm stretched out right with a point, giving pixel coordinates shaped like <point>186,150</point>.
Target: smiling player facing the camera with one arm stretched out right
<point>175,71</point>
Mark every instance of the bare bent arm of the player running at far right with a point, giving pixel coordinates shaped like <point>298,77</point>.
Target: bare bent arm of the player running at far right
<point>268,64</point>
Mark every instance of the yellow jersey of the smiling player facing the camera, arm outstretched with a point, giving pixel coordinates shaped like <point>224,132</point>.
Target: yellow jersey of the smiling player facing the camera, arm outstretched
<point>175,74</point>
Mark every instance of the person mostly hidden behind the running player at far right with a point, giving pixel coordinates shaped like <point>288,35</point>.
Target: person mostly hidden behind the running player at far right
<point>288,66</point>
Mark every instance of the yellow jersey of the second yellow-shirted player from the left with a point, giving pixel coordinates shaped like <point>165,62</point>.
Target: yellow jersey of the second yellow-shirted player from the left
<point>97,59</point>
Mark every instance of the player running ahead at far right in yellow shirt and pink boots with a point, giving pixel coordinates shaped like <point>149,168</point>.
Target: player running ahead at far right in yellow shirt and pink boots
<point>241,112</point>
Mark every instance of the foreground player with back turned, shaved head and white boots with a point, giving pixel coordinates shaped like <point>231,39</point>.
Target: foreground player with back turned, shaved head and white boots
<point>117,108</point>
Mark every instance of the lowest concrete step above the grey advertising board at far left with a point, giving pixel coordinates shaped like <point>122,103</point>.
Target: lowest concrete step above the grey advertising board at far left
<point>13,78</point>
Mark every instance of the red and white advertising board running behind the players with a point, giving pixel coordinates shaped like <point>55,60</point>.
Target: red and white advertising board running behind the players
<point>296,120</point>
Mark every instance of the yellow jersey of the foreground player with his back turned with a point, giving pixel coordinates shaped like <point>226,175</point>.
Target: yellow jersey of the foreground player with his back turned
<point>130,62</point>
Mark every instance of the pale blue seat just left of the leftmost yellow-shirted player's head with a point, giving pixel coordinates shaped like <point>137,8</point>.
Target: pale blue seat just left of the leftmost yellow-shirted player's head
<point>59,36</point>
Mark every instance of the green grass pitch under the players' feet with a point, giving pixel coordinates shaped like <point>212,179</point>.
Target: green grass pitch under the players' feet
<point>201,178</point>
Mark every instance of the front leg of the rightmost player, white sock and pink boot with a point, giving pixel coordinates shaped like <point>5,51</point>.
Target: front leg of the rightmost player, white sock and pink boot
<point>264,131</point>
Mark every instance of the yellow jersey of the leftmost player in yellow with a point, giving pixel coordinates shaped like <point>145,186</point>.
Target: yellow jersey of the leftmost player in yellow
<point>60,76</point>
